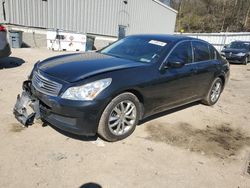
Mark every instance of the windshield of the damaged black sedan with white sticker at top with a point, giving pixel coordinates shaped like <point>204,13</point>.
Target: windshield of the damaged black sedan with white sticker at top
<point>136,48</point>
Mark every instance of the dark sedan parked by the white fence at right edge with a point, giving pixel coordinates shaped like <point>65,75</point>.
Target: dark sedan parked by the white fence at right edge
<point>237,52</point>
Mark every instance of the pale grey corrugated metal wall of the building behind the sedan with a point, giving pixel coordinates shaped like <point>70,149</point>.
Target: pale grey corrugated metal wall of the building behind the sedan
<point>92,16</point>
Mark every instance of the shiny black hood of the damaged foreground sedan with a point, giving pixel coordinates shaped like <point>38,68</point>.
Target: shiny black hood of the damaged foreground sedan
<point>75,67</point>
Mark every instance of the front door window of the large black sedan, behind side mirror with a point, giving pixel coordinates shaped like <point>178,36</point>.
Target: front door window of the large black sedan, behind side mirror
<point>182,53</point>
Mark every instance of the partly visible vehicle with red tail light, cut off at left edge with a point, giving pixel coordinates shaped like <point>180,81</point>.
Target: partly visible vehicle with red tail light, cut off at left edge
<point>4,45</point>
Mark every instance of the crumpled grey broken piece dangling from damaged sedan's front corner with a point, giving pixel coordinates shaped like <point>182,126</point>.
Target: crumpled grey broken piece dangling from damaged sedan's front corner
<point>26,109</point>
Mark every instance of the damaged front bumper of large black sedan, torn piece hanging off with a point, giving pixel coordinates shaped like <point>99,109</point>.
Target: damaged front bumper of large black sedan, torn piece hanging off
<point>77,117</point>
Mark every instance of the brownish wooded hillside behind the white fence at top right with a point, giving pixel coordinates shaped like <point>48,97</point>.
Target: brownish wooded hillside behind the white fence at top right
<point>212,15</point>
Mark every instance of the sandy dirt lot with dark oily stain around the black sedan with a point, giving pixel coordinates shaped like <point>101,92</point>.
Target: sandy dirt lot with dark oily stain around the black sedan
<point>193,146</point>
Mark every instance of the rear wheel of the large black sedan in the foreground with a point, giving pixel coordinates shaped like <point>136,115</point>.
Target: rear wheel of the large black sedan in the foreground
<point>214,92</point>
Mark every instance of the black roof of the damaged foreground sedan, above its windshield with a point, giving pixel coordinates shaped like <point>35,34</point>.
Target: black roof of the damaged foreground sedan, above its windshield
<point>164,37</point>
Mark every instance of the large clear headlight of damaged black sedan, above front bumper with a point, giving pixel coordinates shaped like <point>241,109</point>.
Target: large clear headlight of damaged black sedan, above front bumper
<point>88,91</point>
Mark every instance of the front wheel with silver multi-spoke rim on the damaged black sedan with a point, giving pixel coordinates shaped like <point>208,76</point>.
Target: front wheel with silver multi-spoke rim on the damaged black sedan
<point>120,117</point>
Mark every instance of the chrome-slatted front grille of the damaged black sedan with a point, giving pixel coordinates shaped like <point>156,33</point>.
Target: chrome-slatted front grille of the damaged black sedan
<point>44,85</point>
